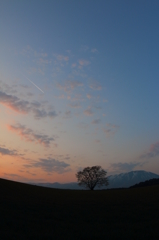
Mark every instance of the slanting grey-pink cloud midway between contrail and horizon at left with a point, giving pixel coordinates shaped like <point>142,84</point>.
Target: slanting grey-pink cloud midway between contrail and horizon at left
<point>31,136</point>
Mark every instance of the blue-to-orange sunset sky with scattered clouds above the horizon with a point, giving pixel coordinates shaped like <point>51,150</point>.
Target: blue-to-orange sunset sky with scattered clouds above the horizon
<point>79,86</point>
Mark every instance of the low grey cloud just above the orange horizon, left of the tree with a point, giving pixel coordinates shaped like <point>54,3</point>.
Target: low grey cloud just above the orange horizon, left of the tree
<point>49,165</point>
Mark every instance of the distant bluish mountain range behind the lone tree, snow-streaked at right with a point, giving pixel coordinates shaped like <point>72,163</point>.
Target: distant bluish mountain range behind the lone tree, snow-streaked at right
<point>122,180</point>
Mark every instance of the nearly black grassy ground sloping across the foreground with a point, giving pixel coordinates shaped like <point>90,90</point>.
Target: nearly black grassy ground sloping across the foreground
<point>31,212</point>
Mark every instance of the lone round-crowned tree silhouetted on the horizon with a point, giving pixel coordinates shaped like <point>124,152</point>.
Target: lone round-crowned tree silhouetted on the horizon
<point>91,177</point>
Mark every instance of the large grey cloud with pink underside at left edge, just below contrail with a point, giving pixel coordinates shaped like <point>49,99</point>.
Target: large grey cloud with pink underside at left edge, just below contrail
<point>24,107</point>
